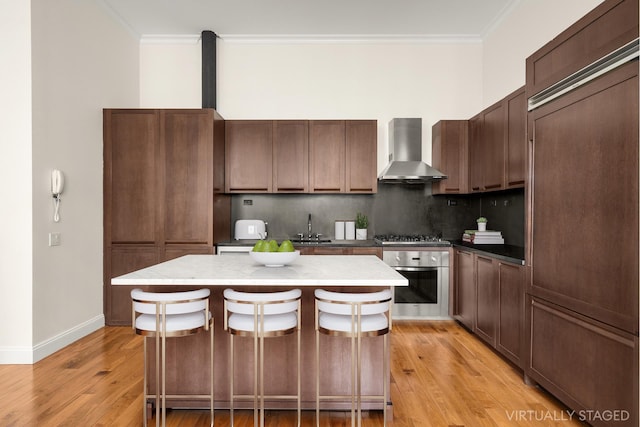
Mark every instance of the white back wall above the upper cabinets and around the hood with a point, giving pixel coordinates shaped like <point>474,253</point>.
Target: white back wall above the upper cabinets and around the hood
<point>332,80</point>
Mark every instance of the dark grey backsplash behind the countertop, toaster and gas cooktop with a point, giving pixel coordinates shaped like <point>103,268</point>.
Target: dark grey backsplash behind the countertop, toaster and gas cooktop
<point>399,209</point>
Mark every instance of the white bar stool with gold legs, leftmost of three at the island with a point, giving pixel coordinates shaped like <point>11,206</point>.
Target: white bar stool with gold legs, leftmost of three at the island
<point>170,314</point>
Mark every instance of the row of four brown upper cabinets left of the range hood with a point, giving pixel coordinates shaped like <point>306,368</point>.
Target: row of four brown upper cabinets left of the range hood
<point>301,156</point>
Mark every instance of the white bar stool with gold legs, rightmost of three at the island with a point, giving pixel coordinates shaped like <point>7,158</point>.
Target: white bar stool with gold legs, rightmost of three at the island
<point>353,315</point>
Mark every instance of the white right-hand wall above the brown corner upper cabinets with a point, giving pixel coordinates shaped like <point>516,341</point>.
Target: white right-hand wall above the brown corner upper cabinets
<point>529,26</point>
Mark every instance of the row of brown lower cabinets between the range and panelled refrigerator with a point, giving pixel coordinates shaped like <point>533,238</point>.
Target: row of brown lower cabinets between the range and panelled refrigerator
<point>489,300</point>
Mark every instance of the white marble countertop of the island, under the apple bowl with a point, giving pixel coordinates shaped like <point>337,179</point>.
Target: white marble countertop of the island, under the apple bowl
<point>306,270</point>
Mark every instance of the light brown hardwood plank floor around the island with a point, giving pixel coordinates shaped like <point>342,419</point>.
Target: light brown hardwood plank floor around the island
<point>441,376</point>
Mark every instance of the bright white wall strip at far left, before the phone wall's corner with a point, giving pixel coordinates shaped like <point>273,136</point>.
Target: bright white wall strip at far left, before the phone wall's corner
<point>15,174</point>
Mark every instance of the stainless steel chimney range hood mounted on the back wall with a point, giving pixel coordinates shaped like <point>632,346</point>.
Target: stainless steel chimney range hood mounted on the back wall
<point>405,155</point>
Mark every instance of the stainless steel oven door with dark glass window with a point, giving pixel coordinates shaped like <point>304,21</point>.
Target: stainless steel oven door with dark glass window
<point>427,295</point>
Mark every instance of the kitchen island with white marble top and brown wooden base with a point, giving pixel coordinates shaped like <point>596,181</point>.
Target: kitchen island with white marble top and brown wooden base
<point>187,366</point>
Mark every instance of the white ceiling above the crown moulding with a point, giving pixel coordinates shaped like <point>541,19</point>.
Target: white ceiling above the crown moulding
<point>420,19</point>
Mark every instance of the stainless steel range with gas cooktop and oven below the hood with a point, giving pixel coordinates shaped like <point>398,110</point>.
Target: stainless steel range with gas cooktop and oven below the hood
<point>424,261</point>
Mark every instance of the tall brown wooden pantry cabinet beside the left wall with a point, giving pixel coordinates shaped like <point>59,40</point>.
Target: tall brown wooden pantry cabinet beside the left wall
<point>163,185</point>
